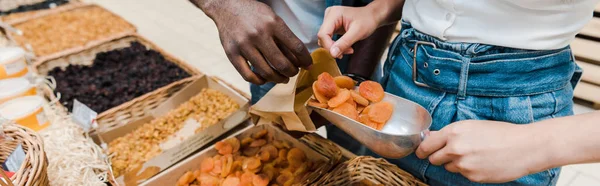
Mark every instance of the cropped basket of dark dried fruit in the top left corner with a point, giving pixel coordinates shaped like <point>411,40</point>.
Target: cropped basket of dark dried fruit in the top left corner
<point>29,7</point>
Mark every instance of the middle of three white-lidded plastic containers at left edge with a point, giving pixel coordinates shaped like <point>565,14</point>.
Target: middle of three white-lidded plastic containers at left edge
<point>15,87</point>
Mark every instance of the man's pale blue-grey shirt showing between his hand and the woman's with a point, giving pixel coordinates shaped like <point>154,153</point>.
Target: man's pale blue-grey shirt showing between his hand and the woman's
<point>303,17</point>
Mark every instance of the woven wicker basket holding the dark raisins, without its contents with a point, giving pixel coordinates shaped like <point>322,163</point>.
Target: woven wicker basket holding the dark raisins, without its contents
<point>133,109</point>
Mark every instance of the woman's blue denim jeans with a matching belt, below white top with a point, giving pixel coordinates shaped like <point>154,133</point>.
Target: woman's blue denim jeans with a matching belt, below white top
<point>480,82</point>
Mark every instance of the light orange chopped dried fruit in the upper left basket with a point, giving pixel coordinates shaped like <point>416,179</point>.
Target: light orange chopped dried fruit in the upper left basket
<point>69,29</point>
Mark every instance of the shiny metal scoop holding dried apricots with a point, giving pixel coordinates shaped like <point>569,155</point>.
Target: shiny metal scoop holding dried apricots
<point>400,136</point>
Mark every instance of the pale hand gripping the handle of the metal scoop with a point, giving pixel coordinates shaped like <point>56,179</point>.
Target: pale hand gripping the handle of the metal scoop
<point>486,151</point>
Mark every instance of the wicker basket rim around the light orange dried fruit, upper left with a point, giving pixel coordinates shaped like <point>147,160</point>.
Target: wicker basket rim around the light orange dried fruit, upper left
<point>70,7</point>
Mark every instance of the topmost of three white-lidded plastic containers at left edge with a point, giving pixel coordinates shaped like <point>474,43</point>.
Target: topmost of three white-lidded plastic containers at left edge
<point>12,62</point>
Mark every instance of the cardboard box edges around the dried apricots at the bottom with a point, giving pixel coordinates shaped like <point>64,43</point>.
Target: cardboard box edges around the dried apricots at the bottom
<point>172,175</point>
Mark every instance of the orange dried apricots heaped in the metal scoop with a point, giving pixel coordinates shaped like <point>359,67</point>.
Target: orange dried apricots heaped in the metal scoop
<point>364,105</point>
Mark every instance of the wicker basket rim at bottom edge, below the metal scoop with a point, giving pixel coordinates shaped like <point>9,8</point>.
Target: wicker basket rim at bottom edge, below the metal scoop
<point>366,168</point>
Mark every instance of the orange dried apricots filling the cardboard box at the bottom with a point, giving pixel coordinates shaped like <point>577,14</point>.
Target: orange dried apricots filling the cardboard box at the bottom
<point>258,160</point>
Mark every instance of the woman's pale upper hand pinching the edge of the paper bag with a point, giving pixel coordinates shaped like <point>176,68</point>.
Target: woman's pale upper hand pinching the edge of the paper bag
<point>355,24</point>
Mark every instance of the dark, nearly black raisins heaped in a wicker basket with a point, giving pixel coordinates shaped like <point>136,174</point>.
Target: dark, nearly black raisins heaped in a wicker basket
<point>116,77</point>
